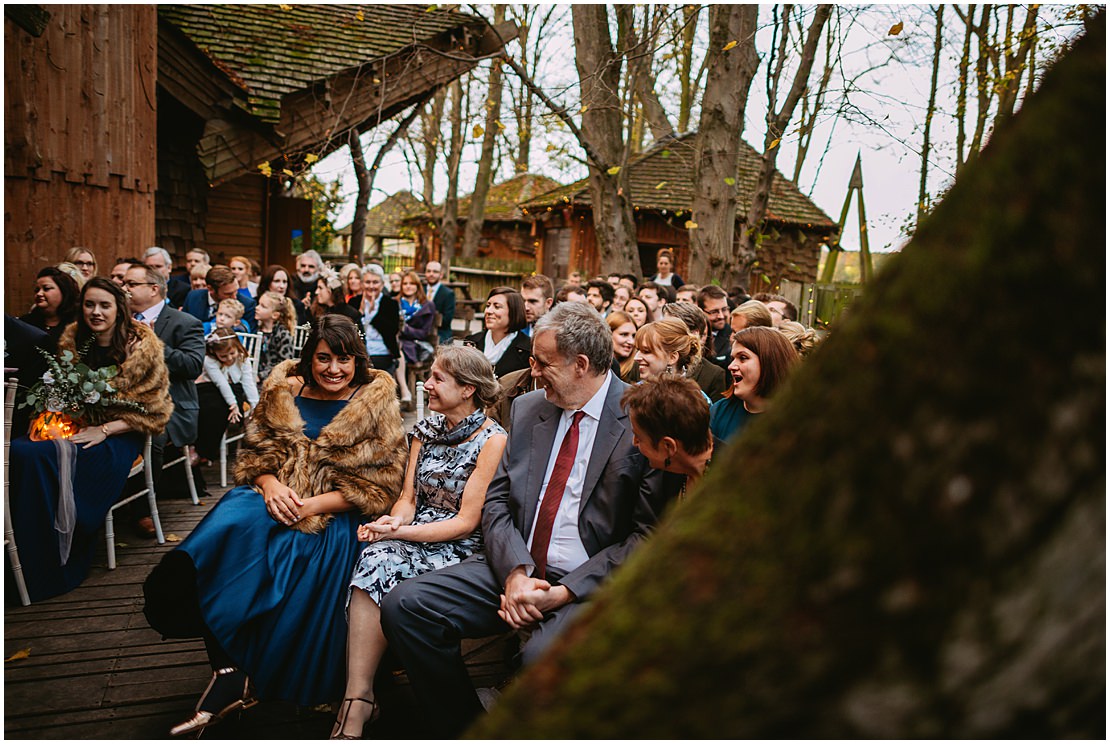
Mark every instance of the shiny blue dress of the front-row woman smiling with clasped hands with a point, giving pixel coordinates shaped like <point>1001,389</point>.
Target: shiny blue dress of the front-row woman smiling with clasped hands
<point>274,598</point>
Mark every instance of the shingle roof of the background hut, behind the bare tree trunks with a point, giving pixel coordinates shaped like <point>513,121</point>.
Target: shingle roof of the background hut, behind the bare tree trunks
<point>663,179</point>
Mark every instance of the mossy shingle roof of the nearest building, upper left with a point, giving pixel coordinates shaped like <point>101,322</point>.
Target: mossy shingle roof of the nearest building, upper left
<point>275,51</point>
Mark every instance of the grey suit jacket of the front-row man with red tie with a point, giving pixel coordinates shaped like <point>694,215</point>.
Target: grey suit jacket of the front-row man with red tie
<point>622,497</point>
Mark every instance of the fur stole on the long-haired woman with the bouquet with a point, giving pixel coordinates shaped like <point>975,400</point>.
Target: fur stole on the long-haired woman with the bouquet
<point>143,379</point>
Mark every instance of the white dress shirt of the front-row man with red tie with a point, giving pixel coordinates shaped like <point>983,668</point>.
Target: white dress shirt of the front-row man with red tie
<point>566,552</point>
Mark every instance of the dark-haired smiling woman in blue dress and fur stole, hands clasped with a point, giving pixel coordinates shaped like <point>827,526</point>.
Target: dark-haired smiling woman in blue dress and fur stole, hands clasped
<point>263,578</point>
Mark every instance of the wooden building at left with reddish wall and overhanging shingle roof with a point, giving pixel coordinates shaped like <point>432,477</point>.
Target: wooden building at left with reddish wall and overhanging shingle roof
<point>181,126</point>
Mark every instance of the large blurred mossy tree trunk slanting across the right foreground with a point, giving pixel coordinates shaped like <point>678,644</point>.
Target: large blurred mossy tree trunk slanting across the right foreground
<point>913,542</point>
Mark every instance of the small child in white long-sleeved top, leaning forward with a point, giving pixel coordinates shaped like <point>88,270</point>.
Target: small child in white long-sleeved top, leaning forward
<point>226,387</point>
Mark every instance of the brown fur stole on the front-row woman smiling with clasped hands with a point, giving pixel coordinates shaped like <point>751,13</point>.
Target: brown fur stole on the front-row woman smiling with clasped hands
<point>361,454</point>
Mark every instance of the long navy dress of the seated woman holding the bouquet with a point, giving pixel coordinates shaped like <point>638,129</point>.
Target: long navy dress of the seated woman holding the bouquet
<point>99,476</point>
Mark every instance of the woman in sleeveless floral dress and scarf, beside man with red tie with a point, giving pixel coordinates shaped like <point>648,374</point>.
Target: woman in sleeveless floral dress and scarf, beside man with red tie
<point>436,524</point>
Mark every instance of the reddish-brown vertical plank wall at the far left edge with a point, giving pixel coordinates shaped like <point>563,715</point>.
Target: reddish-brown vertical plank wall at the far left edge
<point>80,139</point>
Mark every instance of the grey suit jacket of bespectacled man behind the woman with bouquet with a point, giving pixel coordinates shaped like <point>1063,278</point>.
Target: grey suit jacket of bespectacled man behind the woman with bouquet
<point>184,338</point>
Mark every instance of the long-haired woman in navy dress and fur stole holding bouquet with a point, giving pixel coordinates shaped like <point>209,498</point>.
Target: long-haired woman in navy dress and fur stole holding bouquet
<point>62,490</point>
